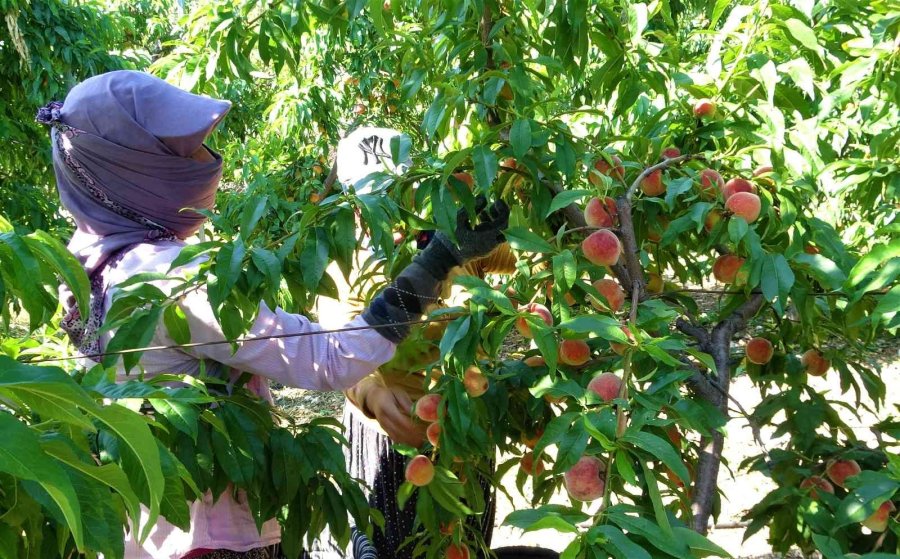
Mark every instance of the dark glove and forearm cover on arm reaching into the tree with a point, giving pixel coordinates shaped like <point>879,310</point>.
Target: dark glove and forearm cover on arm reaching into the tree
<point>420,283</point>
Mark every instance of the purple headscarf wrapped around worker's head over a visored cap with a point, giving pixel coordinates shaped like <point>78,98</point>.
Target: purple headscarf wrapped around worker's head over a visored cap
<point>122,146</point>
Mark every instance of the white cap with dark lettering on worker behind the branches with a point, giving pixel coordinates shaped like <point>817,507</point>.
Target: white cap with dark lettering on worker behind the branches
<point>364,151</point>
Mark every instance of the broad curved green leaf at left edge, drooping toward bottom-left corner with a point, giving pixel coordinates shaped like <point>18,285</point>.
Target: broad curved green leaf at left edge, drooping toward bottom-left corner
<point>21,456</point>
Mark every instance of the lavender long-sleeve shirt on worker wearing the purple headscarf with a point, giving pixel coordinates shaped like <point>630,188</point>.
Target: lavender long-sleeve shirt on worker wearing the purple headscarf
<point>319,362</point>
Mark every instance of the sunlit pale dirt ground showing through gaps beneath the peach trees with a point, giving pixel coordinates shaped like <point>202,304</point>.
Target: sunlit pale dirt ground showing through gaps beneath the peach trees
<point>742,490</point>
